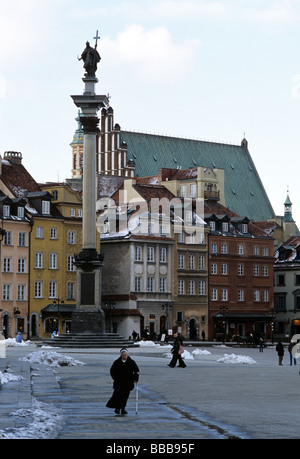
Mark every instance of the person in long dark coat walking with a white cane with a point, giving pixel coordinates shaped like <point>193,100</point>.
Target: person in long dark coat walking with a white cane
<point>125,373</point>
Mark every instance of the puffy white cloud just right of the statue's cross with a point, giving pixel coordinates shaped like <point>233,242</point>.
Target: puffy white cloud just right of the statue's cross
<point>151,54</point>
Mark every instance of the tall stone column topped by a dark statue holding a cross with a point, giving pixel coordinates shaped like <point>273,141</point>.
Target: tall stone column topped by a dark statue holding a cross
<point>88,316</point>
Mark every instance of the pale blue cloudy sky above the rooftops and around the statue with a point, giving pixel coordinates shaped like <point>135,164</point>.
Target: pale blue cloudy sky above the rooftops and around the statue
<point>216,70</point>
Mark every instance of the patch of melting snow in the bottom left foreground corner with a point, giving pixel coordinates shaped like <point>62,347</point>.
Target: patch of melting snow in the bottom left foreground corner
<point>43,421</point>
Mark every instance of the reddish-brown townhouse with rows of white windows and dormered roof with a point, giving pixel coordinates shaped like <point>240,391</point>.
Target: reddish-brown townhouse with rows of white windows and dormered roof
<point>240,276</point>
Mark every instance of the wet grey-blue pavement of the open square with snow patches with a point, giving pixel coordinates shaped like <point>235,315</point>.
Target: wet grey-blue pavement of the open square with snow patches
<point>206,400</point>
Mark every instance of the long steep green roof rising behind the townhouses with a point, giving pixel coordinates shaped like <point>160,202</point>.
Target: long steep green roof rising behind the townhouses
<point>244,191</point>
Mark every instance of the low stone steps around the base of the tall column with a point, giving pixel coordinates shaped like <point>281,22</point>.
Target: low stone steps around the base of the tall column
<point>88,340</point>
